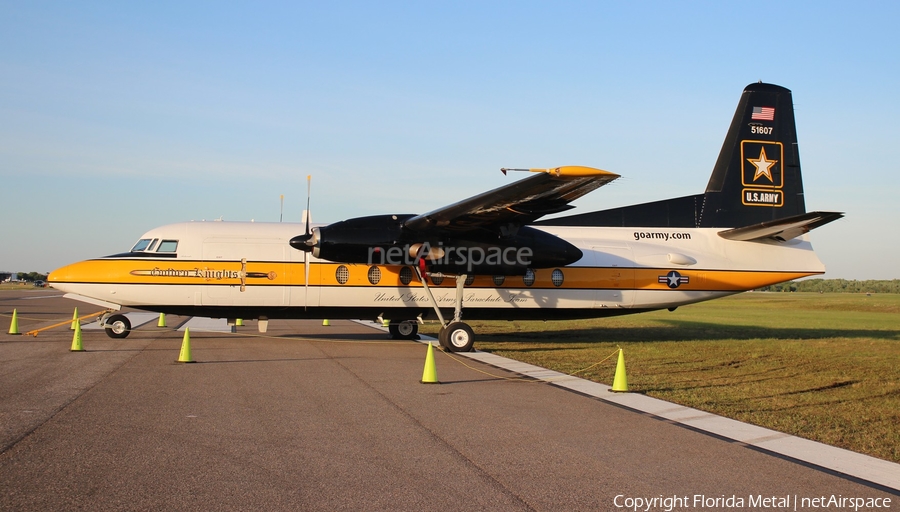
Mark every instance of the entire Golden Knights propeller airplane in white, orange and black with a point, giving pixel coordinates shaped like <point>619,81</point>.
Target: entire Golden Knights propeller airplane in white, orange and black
<point>491,256</point>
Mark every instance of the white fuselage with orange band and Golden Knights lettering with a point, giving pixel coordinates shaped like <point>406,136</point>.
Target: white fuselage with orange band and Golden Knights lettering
<point>248,270</point>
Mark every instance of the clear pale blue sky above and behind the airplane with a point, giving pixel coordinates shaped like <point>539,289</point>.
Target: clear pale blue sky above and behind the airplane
<point>118,117</point>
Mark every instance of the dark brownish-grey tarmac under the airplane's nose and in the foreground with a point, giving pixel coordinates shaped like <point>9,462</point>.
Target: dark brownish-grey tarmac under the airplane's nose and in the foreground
<point>309,417</point>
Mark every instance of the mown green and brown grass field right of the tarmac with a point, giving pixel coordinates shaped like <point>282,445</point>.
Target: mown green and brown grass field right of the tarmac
<point>820,366</point>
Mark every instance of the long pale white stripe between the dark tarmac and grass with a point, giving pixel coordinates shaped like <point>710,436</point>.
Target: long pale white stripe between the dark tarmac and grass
<point>839,460</point>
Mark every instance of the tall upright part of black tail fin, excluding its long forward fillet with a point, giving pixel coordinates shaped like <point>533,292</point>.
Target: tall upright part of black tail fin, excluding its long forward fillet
<point>757,176</point>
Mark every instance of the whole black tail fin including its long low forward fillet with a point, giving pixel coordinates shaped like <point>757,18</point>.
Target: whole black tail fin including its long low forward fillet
<point>756,178</point>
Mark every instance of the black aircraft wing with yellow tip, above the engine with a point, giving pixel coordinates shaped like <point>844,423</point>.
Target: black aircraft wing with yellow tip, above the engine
<point>516,204</point>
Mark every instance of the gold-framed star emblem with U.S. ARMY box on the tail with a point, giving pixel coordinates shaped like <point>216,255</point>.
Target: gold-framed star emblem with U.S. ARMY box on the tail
<point>762,176</point>
